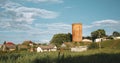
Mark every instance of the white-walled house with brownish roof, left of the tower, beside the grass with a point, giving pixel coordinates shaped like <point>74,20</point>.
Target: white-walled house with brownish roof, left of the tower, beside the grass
<point>46,48</point>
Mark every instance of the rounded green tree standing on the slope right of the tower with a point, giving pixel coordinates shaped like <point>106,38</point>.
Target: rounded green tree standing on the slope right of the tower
<point>98,34</point>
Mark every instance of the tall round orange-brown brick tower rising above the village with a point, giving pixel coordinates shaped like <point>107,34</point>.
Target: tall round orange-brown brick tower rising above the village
<point>76,32</point>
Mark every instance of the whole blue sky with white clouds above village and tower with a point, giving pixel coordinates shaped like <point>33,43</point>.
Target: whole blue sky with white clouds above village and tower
<point>39,20</point>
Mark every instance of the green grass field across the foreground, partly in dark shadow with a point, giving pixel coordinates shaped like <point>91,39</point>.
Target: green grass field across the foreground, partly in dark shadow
<point>90,56</point>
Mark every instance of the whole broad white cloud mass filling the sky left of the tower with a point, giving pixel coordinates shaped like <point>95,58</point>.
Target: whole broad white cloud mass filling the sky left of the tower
<point>18,21</point>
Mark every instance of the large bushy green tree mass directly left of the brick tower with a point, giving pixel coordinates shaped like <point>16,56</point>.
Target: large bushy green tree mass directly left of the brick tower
<point>58,39</point>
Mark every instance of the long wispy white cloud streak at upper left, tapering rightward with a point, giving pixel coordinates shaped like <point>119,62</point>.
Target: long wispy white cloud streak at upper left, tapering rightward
<point>22,11</point>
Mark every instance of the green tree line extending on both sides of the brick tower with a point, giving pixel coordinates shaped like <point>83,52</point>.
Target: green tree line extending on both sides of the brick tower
<point>58,39</point>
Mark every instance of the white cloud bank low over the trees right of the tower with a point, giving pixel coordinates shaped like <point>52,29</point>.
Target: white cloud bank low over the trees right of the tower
<point>109,25</point>
